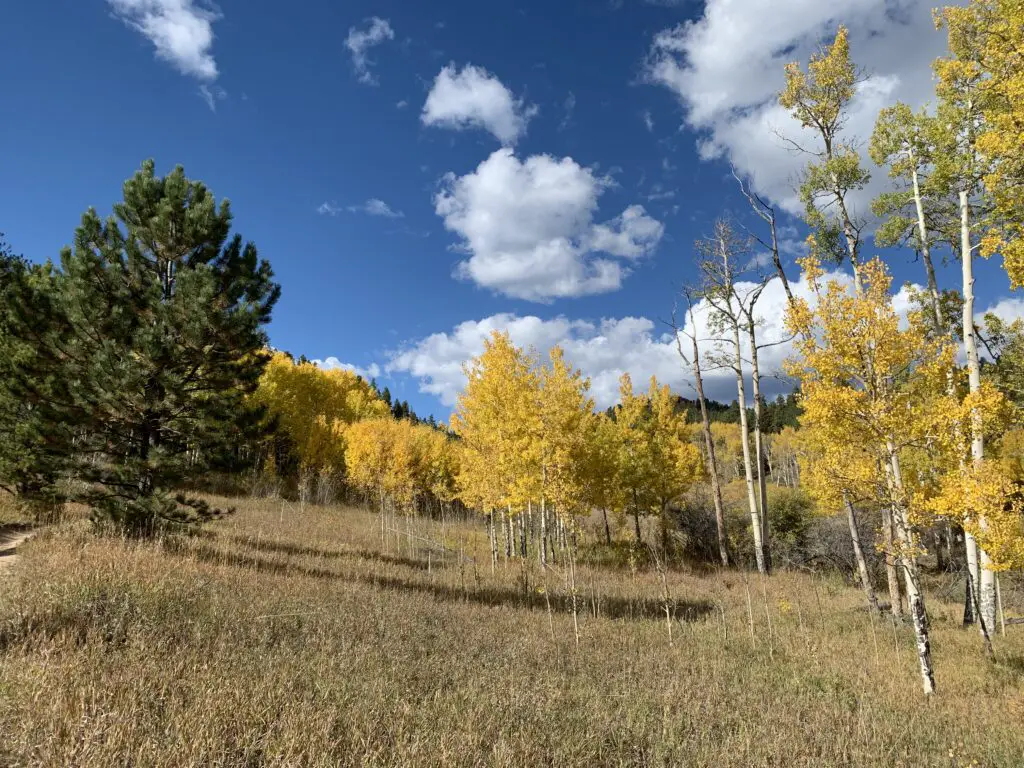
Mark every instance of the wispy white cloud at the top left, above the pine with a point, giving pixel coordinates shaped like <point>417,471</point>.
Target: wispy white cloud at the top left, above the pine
<point>182,31</point>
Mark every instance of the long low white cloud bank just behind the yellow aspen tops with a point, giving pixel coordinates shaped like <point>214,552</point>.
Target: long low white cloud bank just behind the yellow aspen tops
<point>608,349</point>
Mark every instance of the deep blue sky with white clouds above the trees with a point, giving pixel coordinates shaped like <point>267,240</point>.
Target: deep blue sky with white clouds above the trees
<point>419,174</point>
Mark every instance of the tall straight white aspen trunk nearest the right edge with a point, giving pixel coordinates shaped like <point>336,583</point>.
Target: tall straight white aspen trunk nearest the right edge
<point>987,577</point>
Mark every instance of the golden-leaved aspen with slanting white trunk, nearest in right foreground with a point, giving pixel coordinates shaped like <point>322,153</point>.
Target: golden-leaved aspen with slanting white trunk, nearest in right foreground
<point>891,402</point>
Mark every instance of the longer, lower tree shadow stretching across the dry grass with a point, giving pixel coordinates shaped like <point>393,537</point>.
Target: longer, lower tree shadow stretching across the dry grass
<point>487,595</point>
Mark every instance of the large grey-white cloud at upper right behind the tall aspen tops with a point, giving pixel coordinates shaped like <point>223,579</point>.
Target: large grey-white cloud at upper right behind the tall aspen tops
<point>728,67</point>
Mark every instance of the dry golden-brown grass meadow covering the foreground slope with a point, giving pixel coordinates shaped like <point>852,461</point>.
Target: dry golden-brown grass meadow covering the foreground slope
<point>291,637</point>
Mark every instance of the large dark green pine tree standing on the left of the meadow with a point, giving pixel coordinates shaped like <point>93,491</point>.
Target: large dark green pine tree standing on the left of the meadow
<point>154,339</point>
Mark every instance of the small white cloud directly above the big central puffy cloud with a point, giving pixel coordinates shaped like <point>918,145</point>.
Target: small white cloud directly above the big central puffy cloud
<point>476,99</point>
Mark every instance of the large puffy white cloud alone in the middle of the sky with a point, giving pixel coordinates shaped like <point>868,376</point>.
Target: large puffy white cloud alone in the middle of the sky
<point>529,228</point>
